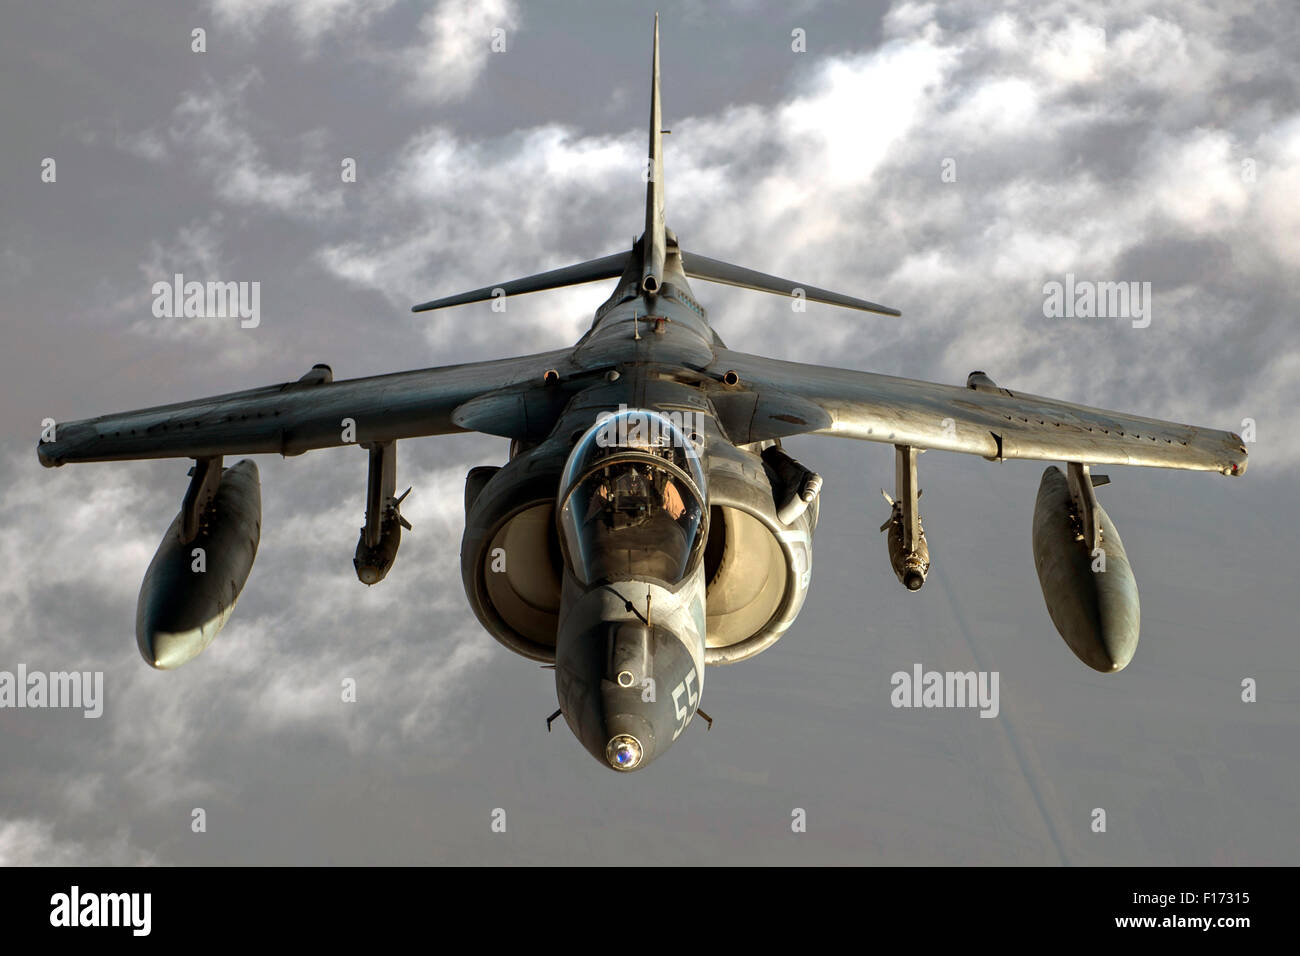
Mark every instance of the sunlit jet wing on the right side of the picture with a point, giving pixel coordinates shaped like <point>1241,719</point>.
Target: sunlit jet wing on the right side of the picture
<point>981,419</point>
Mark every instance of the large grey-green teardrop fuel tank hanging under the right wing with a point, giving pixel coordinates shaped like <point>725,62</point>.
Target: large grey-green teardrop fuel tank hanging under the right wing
<point>1090,591</point>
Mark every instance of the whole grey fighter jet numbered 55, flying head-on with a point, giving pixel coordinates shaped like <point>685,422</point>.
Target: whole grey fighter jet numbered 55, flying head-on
<point>648,522</point>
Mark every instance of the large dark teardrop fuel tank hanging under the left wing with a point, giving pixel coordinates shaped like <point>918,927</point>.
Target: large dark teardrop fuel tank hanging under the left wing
<point>196,579</point>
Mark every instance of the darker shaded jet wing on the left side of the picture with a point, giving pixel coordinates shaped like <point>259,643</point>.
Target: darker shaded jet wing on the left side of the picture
<point>296,417</point>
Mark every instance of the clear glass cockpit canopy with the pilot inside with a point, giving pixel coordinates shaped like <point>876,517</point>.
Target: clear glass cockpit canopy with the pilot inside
<point>634,501</point>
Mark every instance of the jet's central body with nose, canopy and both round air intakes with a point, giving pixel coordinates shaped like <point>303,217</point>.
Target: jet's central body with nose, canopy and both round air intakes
<point>618,596</point>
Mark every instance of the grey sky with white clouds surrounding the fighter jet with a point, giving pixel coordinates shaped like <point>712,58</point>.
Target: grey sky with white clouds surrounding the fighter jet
<point>1155,142</point>
